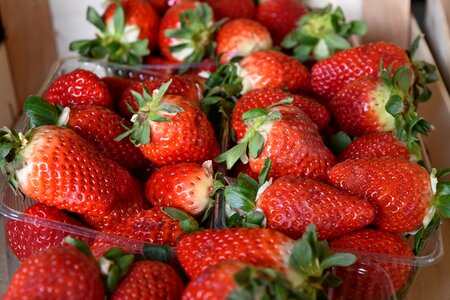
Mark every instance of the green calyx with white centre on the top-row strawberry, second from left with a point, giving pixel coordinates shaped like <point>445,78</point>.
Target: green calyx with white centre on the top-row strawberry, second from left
<point>195,37</point>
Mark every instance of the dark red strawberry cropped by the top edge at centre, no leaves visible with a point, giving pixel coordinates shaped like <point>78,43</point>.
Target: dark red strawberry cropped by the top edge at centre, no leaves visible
<point>232,9</point>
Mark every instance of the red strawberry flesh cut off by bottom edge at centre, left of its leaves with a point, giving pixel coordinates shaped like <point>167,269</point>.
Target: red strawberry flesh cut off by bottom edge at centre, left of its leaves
<point>214,283</point>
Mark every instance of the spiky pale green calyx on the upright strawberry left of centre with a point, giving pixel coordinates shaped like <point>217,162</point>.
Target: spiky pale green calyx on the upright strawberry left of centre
<point>150,109</point>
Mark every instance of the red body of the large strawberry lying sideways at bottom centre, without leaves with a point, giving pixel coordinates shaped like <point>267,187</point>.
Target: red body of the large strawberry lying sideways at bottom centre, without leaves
<point>258,246</point>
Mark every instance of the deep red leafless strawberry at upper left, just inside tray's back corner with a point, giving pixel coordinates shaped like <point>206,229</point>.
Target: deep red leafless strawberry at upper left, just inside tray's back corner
<point>78,87</point>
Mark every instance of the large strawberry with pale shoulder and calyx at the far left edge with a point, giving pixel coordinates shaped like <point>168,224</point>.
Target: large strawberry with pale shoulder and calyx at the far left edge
<point>55,166</point>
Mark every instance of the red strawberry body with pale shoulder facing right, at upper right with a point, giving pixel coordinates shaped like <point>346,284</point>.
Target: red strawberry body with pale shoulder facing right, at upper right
<point>359,107</point>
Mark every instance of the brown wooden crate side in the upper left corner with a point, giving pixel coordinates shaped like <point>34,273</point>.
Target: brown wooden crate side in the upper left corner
<point>30,43</point>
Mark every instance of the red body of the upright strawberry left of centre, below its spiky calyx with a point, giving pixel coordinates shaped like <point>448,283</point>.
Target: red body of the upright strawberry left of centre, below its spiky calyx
<point>188,137</point>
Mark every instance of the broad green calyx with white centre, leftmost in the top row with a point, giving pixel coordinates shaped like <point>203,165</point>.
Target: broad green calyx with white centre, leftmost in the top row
<point>115,41</point>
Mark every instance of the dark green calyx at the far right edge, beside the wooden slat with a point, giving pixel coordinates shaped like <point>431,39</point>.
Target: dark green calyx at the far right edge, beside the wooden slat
<point>424,73</point>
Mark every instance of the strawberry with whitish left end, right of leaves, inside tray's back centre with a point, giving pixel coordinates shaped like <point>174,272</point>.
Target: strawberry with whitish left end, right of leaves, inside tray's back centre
<point>272,69</point>
